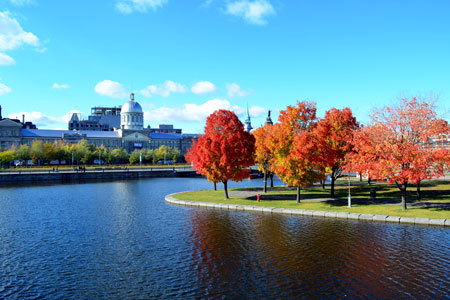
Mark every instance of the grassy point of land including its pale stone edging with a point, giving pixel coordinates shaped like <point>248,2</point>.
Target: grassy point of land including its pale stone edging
<point>376,202</point>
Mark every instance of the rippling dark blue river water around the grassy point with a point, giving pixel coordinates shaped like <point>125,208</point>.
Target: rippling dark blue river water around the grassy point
<point>122,240</point>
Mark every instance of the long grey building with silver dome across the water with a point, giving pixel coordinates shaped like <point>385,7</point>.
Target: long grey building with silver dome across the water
<point>129,133</point>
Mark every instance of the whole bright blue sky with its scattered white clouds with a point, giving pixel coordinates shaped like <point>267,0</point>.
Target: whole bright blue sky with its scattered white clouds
<point>184,59</point>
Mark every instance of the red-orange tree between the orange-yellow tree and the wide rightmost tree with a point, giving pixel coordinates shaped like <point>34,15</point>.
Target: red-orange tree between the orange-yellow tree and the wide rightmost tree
<point>334,133</point>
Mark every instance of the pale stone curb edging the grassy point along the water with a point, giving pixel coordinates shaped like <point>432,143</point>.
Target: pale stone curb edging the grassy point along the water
<point>313,213</point>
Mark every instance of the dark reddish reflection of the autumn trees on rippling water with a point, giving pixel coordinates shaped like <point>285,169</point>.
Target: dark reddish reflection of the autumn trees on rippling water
<point>285,256</point>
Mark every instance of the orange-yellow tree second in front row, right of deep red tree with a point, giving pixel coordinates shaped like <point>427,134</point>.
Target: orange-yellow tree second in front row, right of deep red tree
<point>297,159</point>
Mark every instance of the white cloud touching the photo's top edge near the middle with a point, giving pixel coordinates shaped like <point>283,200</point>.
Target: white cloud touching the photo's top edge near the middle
<point>254,12</point>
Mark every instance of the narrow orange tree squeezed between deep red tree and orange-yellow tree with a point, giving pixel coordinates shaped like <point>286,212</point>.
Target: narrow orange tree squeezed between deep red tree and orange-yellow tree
<point>264,156</point>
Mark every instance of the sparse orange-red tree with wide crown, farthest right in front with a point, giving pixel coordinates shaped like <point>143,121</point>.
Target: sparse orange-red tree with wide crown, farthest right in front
<point>397,145</point>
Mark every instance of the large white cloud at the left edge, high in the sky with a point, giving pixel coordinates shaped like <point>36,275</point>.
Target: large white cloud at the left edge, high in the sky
<point>12,35</point>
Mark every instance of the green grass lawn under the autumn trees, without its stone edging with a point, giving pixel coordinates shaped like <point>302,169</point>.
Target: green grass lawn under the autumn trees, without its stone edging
<point>387,201</point>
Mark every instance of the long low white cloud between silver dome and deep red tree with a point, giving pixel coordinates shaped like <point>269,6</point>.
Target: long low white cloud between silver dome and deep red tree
<point>197,112</point>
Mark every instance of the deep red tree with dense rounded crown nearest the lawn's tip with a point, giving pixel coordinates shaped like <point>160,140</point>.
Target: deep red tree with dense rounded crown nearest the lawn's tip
<point>225,151</point>
